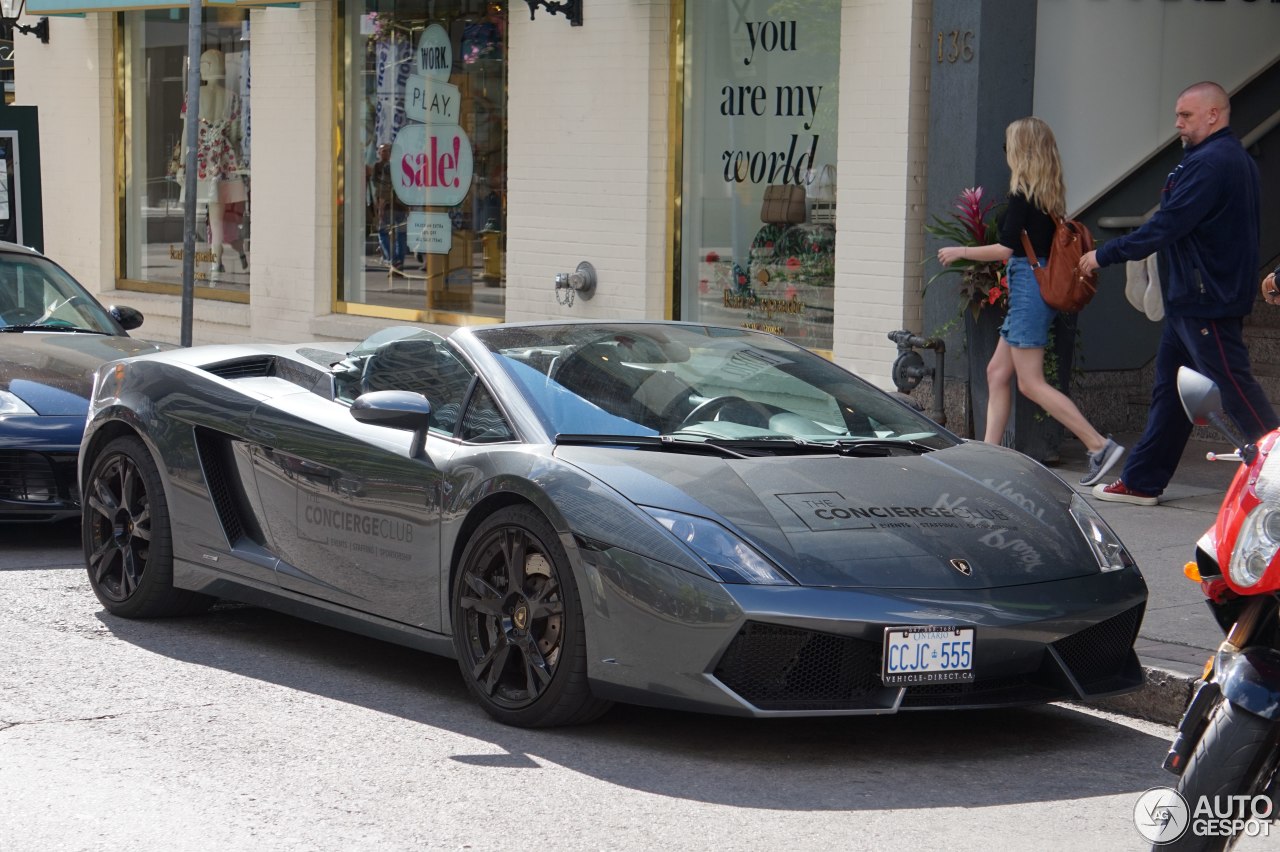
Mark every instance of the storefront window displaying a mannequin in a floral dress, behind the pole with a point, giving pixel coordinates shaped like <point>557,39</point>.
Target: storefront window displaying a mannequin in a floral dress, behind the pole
<point>154,108</point>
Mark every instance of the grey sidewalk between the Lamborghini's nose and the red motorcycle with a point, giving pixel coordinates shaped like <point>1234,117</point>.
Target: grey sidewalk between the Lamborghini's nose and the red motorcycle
<point>1178,634</point>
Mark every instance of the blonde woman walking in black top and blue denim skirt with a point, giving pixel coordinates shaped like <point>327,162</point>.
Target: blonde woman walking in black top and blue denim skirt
<point>1037,195</point>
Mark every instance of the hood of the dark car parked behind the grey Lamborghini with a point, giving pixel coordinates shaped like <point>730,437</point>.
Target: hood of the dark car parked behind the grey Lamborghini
<point>53,372</point>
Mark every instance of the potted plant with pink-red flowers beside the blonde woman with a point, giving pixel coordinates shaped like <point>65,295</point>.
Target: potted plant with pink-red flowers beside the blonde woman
<point>972,223</point>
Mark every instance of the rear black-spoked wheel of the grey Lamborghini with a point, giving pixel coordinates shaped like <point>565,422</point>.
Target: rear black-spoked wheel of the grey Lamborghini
<point>127,539</point>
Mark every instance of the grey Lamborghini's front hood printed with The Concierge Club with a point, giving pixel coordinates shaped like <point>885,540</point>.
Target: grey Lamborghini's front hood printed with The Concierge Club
<point>894,523</point>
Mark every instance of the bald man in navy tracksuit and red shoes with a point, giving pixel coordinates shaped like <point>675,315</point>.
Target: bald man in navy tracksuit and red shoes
<point>1206,233</point>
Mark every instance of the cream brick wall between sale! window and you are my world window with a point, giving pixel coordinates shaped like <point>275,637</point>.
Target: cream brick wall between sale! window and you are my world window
<point>588,173</point>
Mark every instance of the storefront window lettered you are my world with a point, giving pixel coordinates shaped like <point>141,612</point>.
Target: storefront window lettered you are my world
<point>758,235</point>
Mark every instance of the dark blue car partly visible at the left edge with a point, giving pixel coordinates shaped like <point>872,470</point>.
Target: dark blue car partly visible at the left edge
<point>53,337</point>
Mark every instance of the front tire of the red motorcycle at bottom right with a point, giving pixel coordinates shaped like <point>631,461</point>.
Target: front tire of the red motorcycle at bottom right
<point>1238,755</point>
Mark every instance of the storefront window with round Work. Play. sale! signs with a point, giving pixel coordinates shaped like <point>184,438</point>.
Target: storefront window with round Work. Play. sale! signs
<point>424,189</point>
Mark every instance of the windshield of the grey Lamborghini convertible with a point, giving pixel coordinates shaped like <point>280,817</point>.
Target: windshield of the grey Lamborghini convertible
<point>696,383</point>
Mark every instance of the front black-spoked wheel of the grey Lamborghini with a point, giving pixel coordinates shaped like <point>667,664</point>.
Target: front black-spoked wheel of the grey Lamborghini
<point>518,625</point>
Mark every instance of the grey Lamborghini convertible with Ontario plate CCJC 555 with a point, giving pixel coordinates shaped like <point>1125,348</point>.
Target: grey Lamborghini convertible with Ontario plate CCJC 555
<point>659,514</point>
